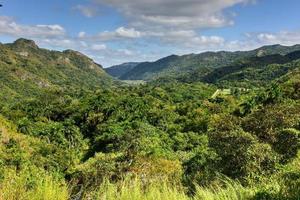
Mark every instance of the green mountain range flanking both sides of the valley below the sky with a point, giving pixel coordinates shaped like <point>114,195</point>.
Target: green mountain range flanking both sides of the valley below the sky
<point>27,70</point>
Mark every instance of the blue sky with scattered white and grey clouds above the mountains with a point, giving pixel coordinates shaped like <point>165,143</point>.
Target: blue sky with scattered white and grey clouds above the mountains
<point>117,31</point>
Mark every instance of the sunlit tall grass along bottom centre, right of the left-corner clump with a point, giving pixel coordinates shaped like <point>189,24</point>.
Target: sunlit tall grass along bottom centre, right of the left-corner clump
<point>136,190</point>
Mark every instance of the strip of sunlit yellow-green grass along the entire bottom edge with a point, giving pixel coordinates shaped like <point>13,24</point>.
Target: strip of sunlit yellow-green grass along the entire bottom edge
<point>34,184</point>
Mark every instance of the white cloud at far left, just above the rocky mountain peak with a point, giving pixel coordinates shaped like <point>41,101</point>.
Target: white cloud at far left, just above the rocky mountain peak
<point>8,26</point>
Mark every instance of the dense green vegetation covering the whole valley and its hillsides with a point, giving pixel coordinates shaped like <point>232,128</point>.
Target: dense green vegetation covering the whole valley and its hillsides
<point>71,131</point>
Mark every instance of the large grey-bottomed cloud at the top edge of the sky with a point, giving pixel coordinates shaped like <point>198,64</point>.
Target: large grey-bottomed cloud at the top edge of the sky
<point>175,13</point>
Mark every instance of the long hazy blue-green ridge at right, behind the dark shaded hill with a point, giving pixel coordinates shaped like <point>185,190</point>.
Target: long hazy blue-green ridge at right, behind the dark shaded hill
<point>174,65</point>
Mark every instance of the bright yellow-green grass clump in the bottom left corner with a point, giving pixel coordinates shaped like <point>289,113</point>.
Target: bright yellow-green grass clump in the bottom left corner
<point>31,185</point>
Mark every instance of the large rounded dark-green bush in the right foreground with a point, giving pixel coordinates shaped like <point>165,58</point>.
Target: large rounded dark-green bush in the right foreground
<point>241,155</point>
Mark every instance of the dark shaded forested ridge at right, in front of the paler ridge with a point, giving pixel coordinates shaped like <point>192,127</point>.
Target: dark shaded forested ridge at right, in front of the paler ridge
<point>255,71</point>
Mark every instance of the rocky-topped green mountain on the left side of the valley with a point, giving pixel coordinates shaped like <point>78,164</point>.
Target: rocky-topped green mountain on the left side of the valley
<point>27,70</point>
